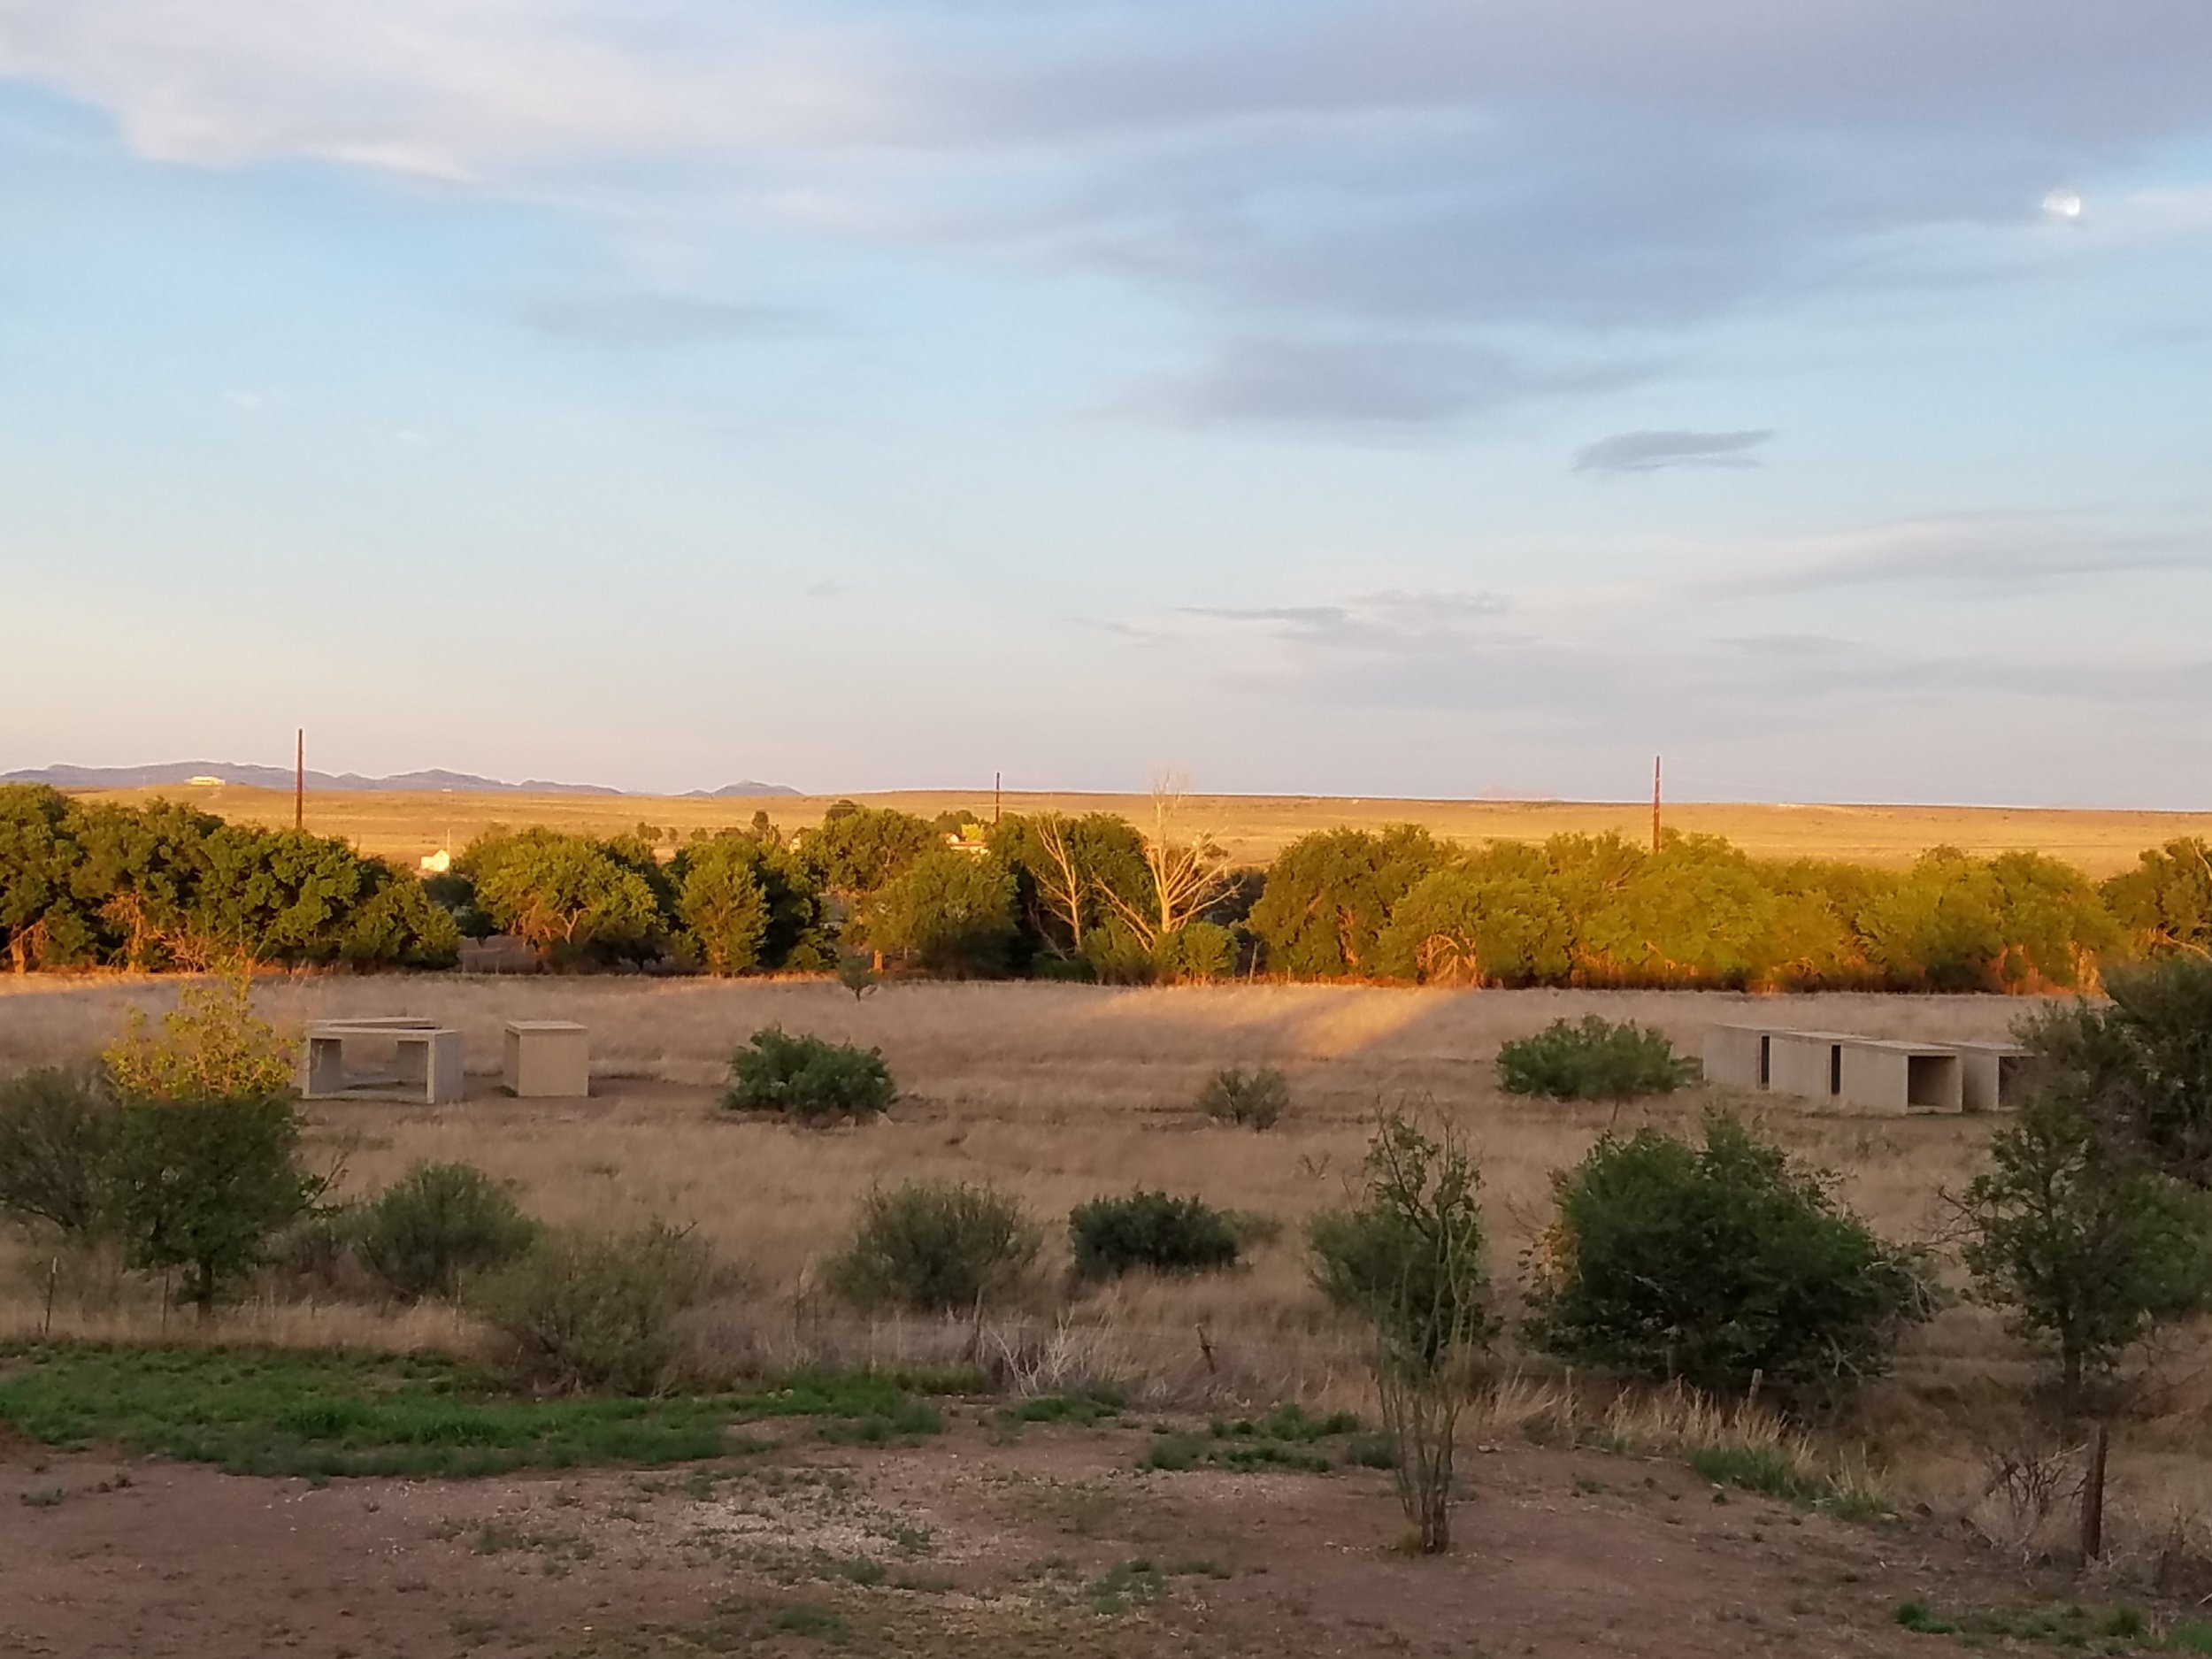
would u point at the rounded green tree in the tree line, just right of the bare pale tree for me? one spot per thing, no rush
(1331, 897)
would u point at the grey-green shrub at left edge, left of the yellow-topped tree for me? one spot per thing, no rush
(59, 1140)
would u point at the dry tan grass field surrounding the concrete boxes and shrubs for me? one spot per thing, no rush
(1061, 1094)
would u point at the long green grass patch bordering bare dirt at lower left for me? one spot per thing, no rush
(320, 1412)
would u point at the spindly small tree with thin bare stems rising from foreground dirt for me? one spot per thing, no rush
(1410, 1262)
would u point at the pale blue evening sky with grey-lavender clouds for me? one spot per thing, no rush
(1326, 397)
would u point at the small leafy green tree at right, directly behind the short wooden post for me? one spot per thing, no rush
(2085, 1244)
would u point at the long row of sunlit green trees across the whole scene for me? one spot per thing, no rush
(1092, 897)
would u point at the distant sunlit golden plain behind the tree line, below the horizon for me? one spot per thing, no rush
(1255, 828)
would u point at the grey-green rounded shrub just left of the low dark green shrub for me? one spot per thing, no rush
(937, 1249)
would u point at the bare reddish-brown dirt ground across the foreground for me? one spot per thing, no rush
(985, 1541)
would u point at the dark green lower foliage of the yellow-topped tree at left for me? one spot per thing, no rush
(207, 1185)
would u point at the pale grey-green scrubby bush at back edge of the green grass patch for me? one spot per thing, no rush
(589, 1313)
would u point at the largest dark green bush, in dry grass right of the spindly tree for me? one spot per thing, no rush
(1715, 1262)
